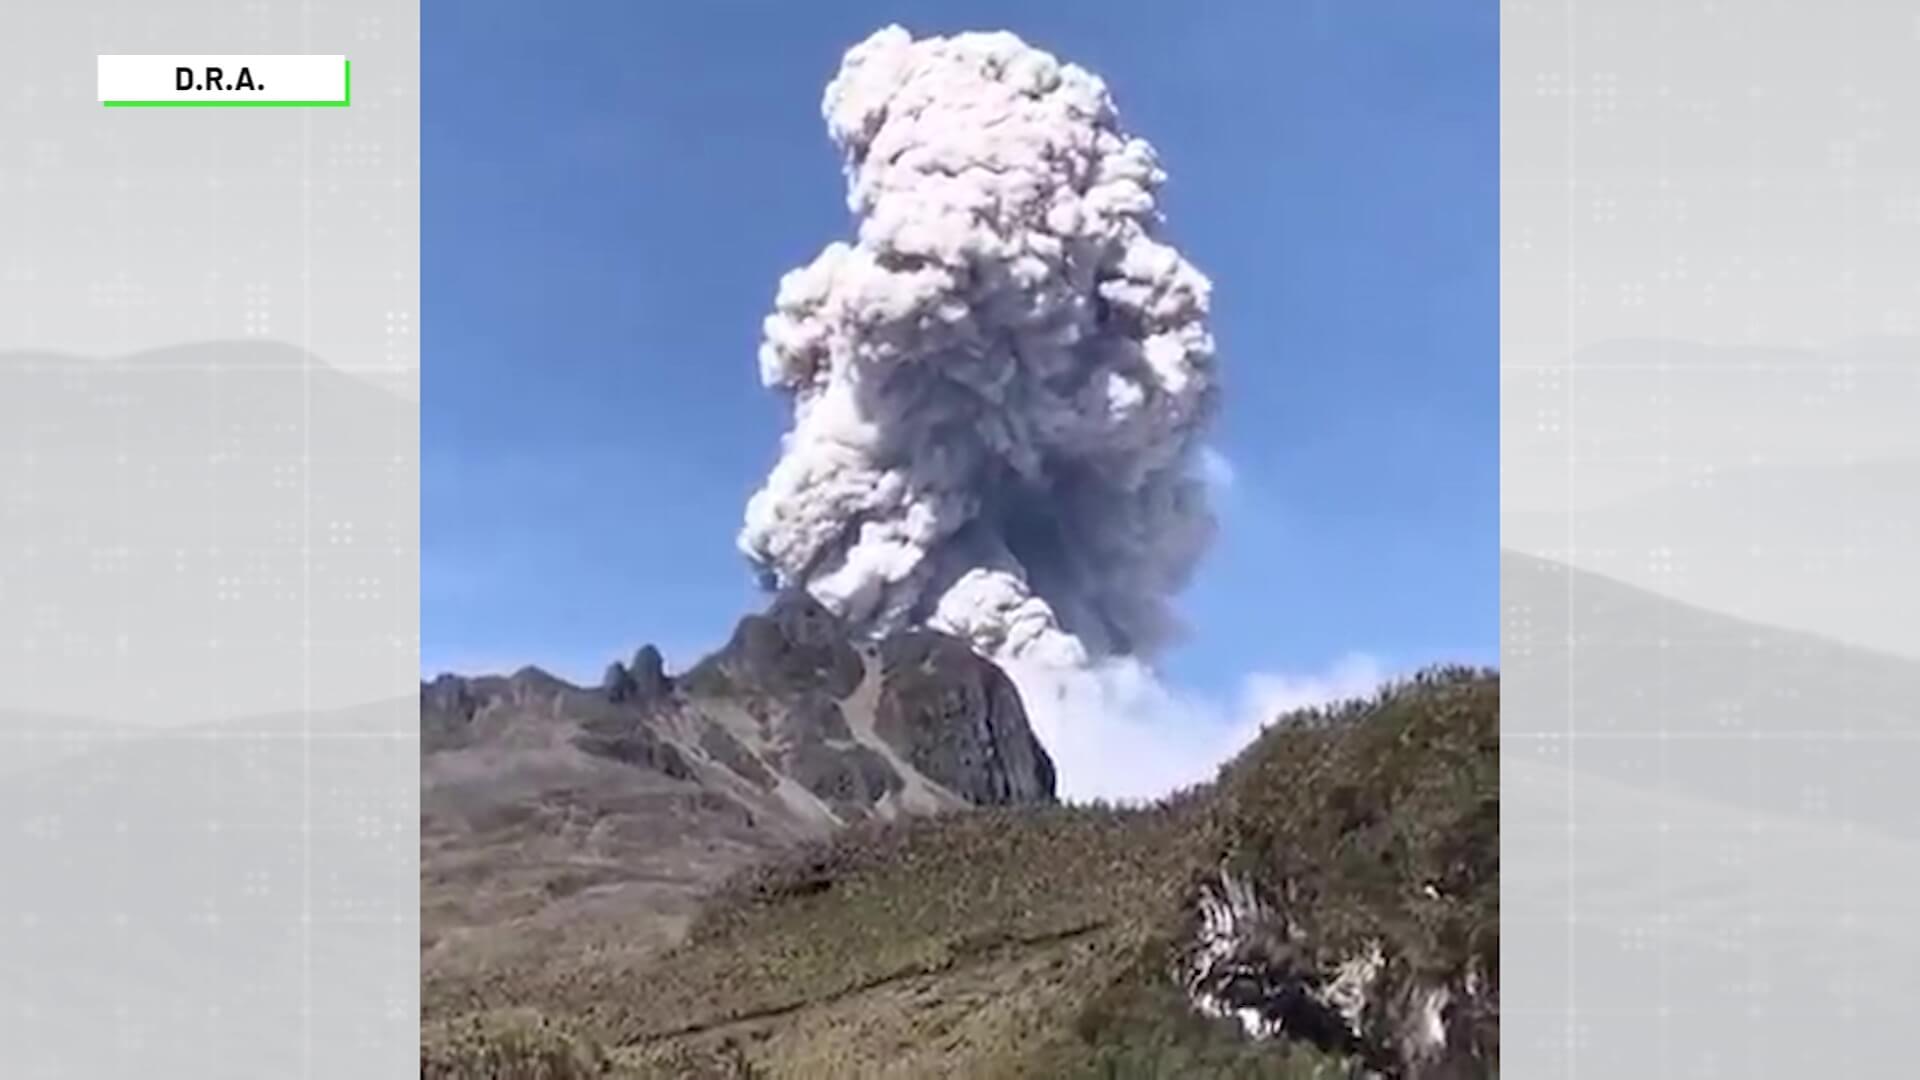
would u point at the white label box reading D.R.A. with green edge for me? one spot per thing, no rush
(201, 80)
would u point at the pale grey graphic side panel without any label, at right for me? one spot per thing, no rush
(1712, 504)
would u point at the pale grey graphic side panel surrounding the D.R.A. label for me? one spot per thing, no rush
(210, 556)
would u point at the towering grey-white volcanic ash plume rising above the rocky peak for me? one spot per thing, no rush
(999, 385)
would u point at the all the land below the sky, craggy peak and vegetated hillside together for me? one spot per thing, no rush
(721, 875)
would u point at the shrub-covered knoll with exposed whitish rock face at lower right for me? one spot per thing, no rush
(1356, 906)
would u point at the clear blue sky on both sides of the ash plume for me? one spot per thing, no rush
(615, 189)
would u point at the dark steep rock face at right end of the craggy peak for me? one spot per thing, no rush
(957, 720)
